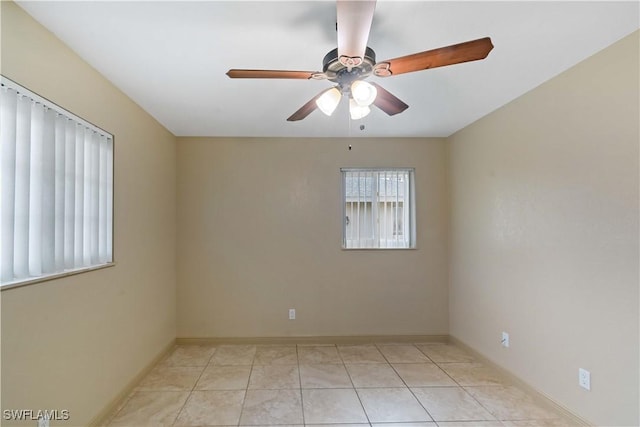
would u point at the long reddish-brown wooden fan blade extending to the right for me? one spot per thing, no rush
(449, 55)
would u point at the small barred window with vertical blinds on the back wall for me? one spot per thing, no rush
(378, 208)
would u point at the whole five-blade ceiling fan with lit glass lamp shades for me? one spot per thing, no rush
(353, 61)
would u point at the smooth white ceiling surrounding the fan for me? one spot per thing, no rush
(171, 58)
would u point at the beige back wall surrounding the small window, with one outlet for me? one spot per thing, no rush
(259, 226)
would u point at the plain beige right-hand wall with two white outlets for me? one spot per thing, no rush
(544, 240)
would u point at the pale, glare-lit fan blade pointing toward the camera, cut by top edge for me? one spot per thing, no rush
(354, 23)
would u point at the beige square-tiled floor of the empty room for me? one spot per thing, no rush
(382, 385)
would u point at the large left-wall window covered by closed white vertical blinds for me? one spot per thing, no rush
(56, 189)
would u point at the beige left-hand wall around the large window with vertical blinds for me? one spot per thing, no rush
(75, 343)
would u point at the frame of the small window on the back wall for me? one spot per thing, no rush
(409, 212)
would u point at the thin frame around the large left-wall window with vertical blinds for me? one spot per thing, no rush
(17, 283)
